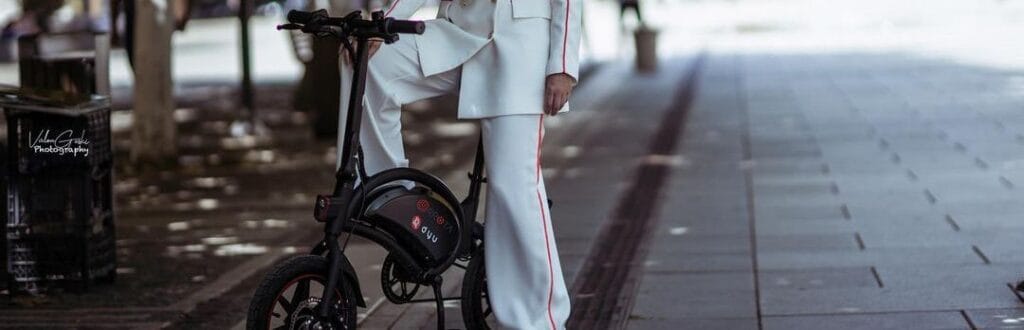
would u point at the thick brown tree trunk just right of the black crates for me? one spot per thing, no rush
(154, 130)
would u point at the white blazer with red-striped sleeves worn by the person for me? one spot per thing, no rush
(505, 55)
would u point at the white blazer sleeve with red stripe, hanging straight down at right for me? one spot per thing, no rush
(567, 28)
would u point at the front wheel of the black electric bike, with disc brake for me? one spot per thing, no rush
(302, 273)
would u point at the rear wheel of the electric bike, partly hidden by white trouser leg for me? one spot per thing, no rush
(476, 305)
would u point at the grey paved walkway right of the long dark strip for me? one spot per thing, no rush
(850, 190)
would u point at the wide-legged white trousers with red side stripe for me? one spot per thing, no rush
(525, 277)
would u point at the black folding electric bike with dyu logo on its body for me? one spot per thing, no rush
(414, 216)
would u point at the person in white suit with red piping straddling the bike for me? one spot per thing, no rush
(511, 62)
